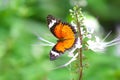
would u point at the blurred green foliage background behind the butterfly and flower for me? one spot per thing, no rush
(21, 56)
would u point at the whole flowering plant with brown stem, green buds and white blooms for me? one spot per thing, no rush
(86, 40)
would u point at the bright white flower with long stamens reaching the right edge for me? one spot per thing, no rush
(99, 45)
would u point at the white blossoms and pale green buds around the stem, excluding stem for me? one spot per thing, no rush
(91, 41)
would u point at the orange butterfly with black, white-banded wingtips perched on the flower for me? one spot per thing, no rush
(64, 32)
